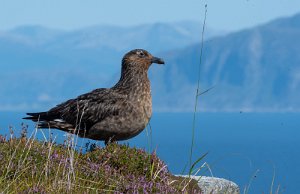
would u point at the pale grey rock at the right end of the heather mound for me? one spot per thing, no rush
(212, 185)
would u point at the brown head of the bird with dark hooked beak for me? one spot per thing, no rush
(139, 58)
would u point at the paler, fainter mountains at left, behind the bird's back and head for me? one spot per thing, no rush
(41, 66)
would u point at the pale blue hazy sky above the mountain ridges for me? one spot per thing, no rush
(73, 14)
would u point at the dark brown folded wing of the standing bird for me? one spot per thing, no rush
(90, 108)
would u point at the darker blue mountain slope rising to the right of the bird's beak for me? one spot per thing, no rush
(257, 69)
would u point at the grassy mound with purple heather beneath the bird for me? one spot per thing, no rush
(31, 166)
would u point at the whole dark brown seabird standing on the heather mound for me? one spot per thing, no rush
(107, 114)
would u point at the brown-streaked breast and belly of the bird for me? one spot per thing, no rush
(132, 118)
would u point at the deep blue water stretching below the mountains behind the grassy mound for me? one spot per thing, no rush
(239, 145)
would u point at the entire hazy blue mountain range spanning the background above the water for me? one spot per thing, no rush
(256, 69)
